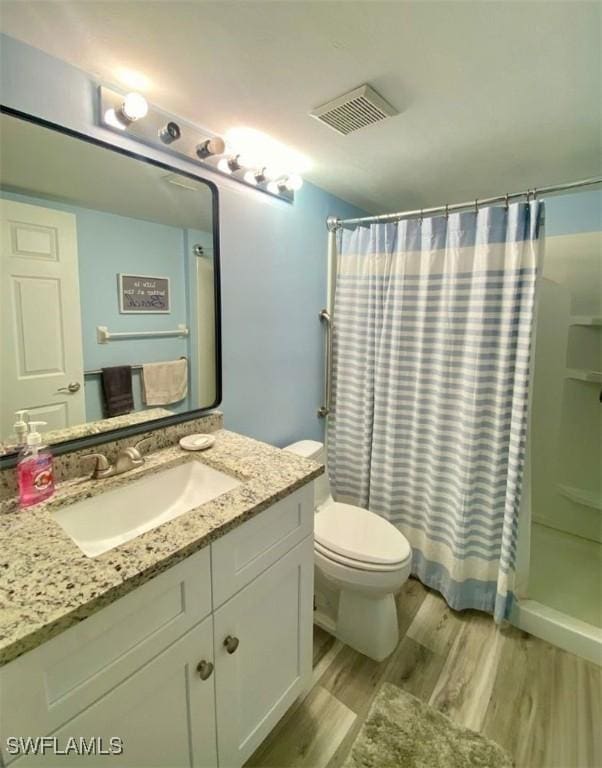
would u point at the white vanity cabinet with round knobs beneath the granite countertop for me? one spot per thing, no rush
(194, 668)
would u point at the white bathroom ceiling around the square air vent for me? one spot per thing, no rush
(493, 96)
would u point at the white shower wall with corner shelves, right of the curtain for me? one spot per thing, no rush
(566, 424)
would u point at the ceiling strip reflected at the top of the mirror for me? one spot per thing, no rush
(45, 163)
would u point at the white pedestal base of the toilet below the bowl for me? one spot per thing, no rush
(367, 624)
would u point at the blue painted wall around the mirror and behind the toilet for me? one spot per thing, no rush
(273, 259)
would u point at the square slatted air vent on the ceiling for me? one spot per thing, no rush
(354, 110)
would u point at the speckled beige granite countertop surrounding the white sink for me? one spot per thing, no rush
(47, 584)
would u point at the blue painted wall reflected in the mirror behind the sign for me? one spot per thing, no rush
(107, 245)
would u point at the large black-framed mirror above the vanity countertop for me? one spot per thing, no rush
(109, 264)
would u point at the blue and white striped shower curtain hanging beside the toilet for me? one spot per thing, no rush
(432, 330)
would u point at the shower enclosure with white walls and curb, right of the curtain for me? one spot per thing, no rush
(562, 584)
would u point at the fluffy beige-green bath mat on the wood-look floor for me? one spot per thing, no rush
(403, 732)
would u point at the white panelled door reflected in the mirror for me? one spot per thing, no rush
(40, 324)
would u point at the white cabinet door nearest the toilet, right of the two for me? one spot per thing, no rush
(258, 680)
